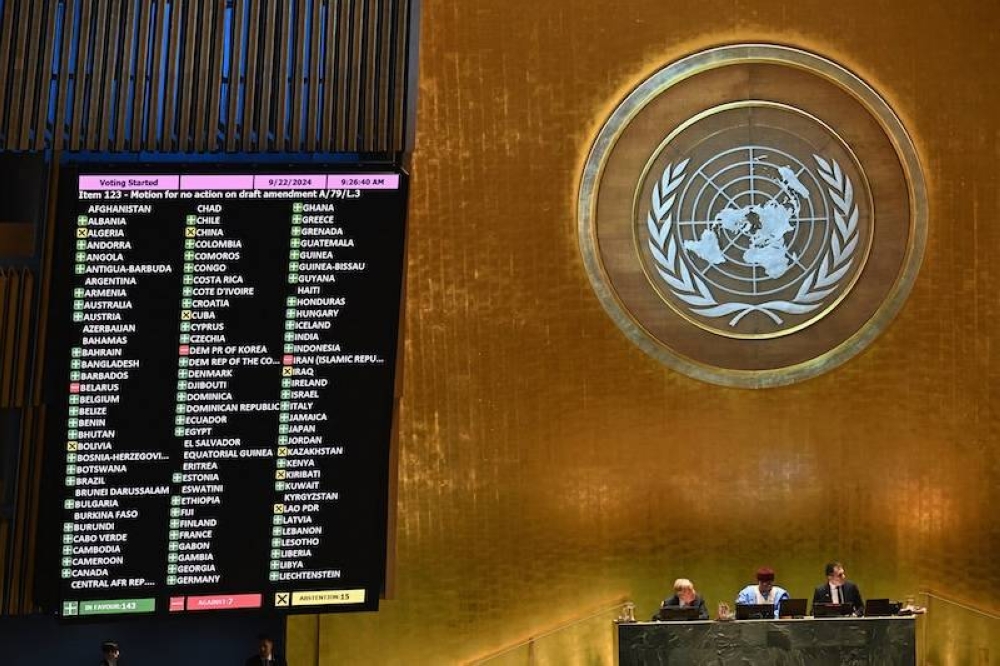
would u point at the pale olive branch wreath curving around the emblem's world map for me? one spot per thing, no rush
(692, 289)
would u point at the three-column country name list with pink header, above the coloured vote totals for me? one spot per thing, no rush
(208, 335)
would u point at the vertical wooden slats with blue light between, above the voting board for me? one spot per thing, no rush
(203, 75)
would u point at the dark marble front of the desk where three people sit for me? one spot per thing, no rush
(882, 641)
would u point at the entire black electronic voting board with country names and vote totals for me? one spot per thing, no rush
(220, 366)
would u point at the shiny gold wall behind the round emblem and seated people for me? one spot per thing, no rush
(547, 466)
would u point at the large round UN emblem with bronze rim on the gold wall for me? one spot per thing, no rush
(752, 215)
